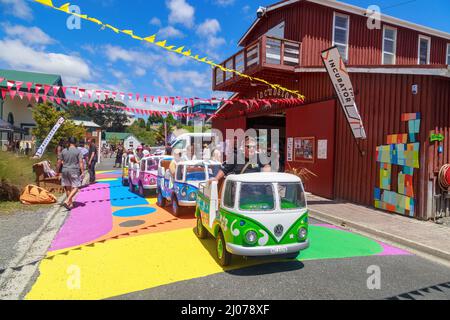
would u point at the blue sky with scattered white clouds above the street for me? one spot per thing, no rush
(35, 38)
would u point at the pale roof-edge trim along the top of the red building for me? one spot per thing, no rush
(355, 10)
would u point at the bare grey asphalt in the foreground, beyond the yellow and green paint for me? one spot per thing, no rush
(402, 277)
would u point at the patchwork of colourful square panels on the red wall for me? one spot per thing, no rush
(401, 150)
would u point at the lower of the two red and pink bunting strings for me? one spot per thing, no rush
(252, 107)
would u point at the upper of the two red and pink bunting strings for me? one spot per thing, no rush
(167, 100)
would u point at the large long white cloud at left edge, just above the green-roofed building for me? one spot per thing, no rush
(19, 56)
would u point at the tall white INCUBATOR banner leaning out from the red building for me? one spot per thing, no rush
(344, 89)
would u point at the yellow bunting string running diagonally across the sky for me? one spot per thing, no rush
(171, 48)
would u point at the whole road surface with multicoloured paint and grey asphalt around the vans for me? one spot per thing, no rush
(116, 244)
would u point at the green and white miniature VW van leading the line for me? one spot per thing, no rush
(257, 214)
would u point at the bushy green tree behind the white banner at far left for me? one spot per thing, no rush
(45, 115)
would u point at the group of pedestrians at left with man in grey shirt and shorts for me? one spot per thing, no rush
(75, 162)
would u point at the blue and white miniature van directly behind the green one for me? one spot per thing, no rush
(179, 183)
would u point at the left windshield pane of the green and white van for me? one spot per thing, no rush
(256, 197)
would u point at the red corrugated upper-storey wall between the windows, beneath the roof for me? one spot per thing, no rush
(312, 25)
